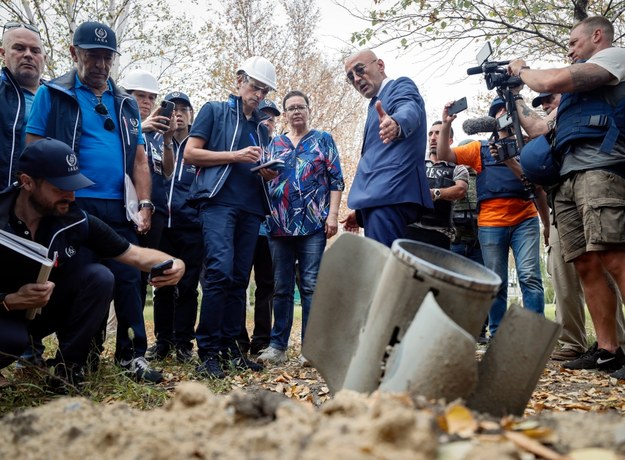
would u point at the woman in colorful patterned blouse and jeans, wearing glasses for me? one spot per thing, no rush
(304, 204)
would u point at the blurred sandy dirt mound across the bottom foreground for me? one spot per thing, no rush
(198, 424)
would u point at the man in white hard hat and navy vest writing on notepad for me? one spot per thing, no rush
(226, 141)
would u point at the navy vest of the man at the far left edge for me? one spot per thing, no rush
(12, 124)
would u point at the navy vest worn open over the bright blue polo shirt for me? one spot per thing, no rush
(65, 123)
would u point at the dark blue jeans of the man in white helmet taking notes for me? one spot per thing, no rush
(229, 240)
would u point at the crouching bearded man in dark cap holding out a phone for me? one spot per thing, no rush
(75, 300)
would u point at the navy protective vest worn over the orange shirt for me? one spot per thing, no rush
(497, 180)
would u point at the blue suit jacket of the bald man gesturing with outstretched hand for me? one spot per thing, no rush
(393, 173)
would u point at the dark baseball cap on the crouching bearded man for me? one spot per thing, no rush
(55, 162)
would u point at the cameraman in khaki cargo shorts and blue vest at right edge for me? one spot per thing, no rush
(589, 204)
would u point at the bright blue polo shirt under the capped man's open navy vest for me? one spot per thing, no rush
(101, 155)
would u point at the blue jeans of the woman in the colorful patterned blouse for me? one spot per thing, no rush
(285, 250)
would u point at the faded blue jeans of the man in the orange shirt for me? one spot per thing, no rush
(524, 239)
